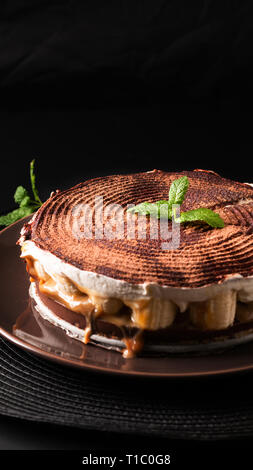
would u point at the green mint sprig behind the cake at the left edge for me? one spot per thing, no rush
(27, 204)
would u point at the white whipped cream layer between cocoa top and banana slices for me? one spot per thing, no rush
(110, 287)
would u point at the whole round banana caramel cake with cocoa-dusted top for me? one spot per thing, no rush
(121, 289)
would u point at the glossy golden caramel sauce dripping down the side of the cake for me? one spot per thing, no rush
(89, 304)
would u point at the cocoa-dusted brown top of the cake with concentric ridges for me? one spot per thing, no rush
(205, 255)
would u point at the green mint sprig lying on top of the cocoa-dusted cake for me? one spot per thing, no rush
(177, 193)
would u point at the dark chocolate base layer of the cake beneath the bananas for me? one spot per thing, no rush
(178, 338)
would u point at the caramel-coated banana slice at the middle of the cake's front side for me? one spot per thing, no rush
(153, 313)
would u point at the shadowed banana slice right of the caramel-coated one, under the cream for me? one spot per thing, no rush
(214, 314)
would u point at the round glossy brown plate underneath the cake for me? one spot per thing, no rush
(39, 336)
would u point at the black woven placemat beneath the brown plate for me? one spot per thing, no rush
(35, 389)
